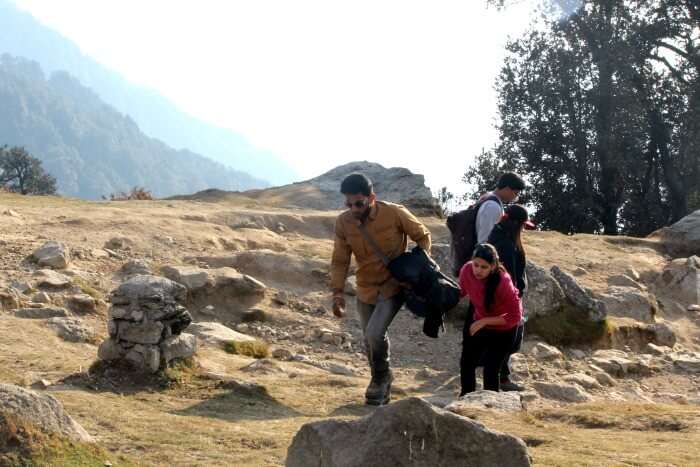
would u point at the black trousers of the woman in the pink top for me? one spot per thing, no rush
(489, 348)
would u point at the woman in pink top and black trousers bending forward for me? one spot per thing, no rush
(489, 337)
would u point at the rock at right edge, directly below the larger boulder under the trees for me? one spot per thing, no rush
(681, 280)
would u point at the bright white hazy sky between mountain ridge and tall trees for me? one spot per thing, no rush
(320, 83)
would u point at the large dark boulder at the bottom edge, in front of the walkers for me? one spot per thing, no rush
(410, 432)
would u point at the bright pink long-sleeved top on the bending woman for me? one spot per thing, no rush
(506, 301)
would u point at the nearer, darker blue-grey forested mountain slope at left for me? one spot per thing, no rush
(90, 148)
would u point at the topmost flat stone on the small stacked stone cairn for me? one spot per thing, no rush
(148, 289)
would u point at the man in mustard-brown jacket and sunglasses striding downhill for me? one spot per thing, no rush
(379, 295)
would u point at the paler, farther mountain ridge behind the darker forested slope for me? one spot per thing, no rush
(22, 35)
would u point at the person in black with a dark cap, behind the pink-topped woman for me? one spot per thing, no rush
(506, 237)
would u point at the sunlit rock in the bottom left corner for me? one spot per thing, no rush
(42, 410)
